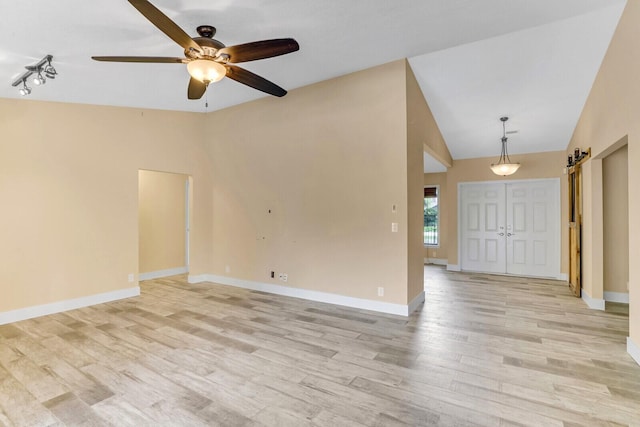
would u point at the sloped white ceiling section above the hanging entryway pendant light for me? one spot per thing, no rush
(539, 77)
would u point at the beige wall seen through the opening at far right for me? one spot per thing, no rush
(615, 194)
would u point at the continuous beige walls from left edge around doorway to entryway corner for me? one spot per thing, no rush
(304, 185)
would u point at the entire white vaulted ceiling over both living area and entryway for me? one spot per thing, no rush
(475, 60)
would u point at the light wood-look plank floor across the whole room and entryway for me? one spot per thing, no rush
(483, 350)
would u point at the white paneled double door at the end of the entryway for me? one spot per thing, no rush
(511, 227)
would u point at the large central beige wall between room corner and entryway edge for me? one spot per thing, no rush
(305, 185)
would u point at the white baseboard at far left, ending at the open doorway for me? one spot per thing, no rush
(66, 305)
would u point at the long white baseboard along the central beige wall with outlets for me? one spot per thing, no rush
(361, 303)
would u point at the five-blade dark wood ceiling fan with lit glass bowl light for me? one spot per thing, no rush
(207, 59)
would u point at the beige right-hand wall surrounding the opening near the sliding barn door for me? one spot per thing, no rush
(611, 114)
